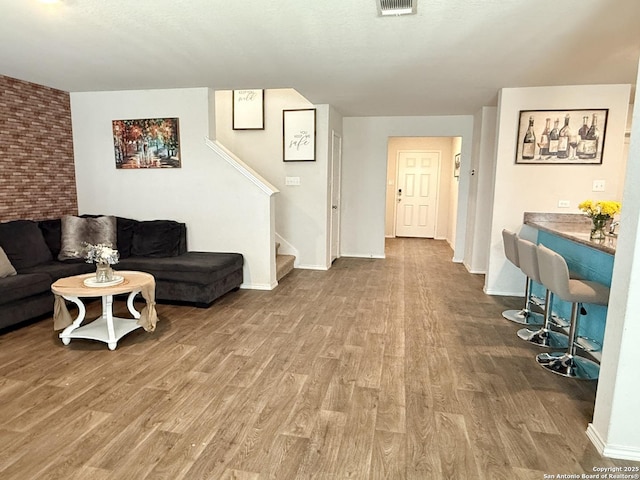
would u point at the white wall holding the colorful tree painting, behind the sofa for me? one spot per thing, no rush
(222, 209)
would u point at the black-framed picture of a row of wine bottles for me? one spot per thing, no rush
(561, 137)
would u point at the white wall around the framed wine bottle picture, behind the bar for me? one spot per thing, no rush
(538, 188)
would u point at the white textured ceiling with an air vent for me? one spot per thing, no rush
(450, 58)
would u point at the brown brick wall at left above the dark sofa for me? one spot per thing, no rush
(37, 174)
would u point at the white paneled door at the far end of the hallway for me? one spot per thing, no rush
(417, 193)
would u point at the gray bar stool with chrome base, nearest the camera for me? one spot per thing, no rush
(555, 276)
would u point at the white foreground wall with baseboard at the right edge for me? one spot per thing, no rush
(615, 429)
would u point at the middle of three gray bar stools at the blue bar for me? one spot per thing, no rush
(544, 337)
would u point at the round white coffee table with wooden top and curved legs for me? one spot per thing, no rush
(106, 328)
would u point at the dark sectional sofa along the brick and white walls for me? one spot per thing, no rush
(158, 247)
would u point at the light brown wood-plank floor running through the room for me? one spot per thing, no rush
(399, 369)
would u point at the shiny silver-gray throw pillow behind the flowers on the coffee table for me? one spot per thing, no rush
(75, 231)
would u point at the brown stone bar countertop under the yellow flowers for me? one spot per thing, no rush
(575, 227)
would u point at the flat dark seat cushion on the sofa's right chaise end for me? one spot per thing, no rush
(193, 267)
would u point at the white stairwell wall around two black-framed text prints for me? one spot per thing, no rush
(301, 211)
